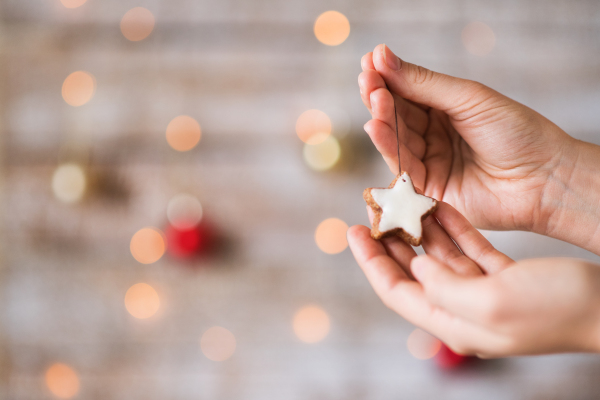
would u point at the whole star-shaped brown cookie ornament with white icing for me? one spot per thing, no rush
(399, 210)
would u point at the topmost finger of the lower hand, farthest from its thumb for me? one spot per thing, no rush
(472, 243)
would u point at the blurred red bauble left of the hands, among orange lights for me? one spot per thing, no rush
(187, 243)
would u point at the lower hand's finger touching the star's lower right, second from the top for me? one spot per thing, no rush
(438, 244)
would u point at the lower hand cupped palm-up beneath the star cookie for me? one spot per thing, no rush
(478, 301)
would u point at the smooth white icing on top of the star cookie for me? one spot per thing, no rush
(402, 207)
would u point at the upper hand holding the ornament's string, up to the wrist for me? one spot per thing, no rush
(501, 164)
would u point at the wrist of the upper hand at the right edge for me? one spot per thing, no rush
(571, 196)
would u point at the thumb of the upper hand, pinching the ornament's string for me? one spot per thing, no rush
(456, 97)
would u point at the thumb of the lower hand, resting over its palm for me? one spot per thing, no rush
(459, 295)
